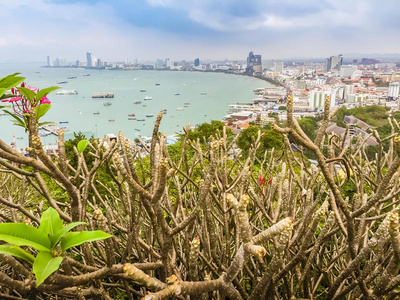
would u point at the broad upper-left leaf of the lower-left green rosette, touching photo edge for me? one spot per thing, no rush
(21, 234)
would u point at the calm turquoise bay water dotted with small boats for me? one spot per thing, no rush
(221, 89)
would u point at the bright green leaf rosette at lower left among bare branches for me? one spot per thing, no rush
(45, 240)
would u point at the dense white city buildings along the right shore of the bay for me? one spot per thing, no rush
(361, 83)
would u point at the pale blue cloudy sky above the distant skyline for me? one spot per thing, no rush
(115, 30)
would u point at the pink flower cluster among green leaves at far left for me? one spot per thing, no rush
(22, 105)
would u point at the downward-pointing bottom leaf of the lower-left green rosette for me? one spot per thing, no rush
(45, 265)
